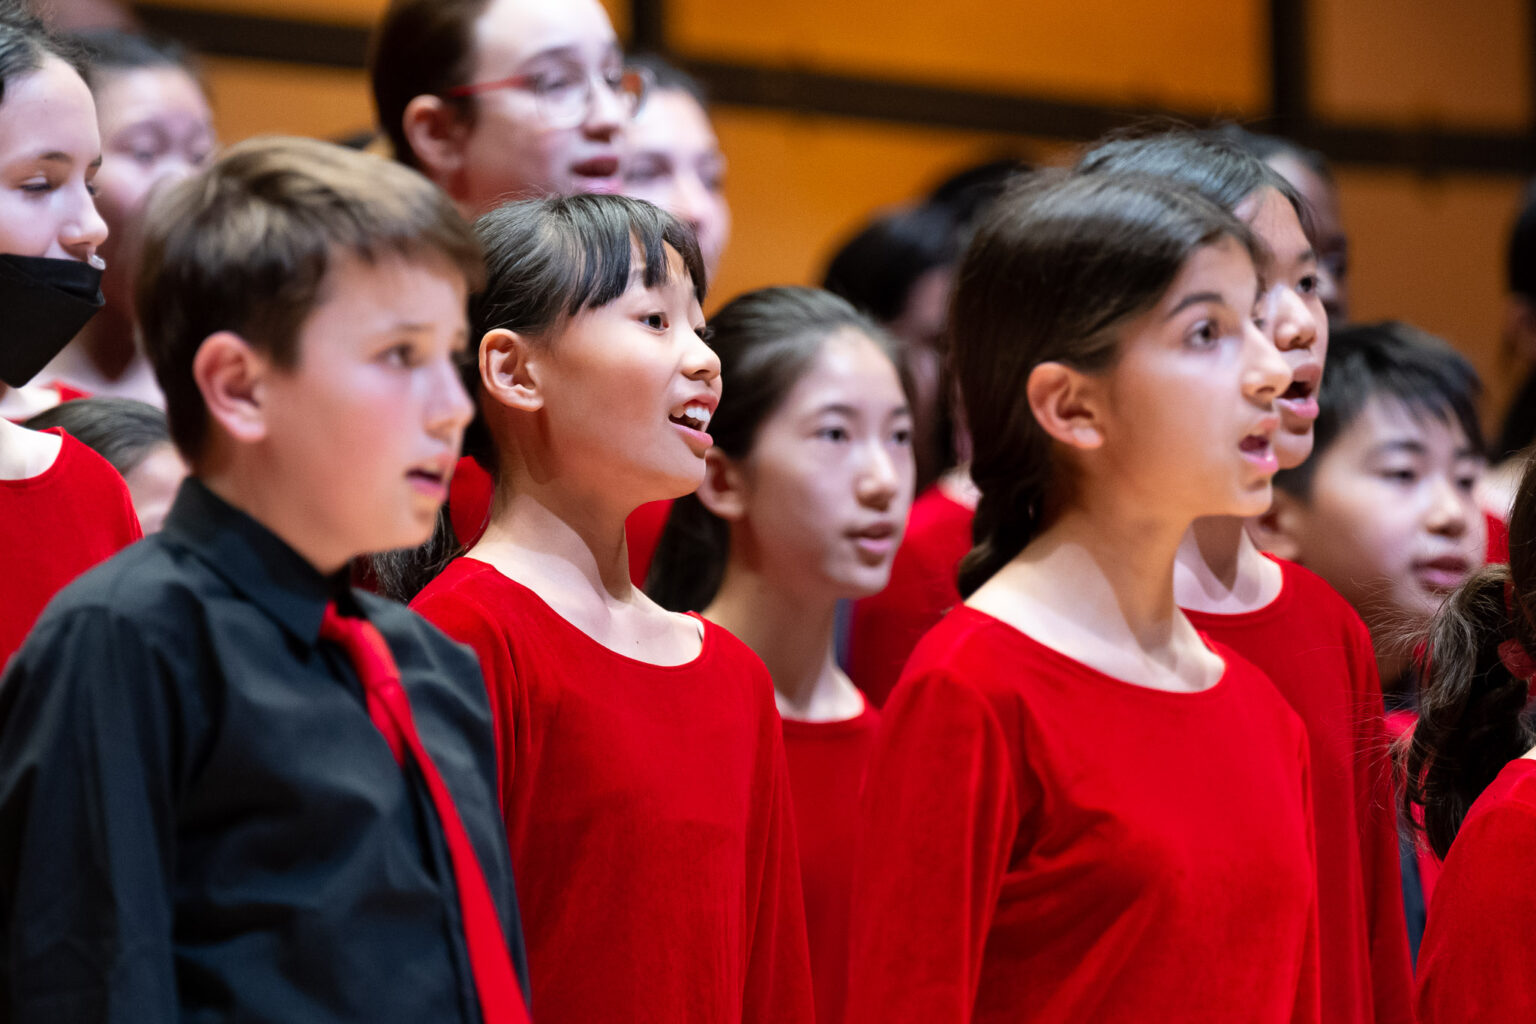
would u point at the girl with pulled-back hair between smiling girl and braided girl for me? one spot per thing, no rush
(803, 506)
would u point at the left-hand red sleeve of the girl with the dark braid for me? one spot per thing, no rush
(939, 821)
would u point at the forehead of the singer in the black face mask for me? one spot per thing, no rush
(48, 111)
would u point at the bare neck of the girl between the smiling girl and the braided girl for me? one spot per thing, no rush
(793, 636)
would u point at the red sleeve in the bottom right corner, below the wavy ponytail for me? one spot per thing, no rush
(1475, 959)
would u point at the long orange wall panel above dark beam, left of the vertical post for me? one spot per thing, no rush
(1202, 56)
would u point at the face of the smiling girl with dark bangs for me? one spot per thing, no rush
(629, 391)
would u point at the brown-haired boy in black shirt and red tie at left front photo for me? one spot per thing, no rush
(233, 788)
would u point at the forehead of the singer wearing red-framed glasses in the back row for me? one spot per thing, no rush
(515, 31)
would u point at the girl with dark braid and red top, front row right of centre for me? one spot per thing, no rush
(1079, 808)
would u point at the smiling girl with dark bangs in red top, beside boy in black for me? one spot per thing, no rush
(643, 775)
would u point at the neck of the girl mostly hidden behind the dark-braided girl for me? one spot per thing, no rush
(1222, 572)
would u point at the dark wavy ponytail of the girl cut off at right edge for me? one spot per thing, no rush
(1472, 707)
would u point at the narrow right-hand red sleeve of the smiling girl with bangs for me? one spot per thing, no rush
(778, 986)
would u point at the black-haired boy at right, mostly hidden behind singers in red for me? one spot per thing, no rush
(1385, 509)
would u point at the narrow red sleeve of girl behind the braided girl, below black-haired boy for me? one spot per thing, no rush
(1375, 796)
